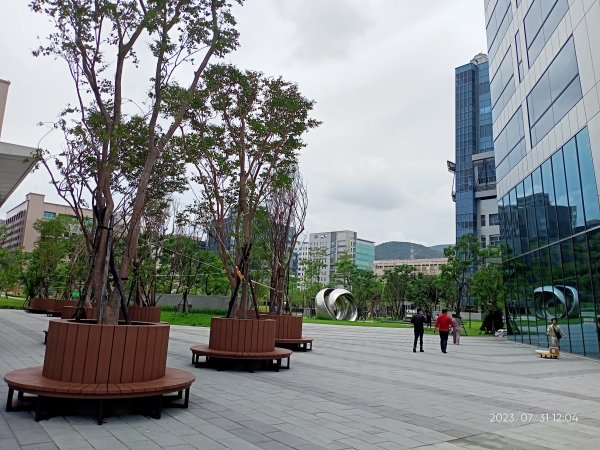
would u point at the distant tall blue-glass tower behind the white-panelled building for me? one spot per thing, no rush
(475, 171)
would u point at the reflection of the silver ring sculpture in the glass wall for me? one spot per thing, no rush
(547, 298)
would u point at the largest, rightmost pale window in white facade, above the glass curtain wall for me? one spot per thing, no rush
(557, 91)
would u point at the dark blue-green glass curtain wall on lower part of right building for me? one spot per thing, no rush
(550, 235)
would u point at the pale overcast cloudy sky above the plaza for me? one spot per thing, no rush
(380, 71)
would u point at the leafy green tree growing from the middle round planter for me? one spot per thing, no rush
(244, 134)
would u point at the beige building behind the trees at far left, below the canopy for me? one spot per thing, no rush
(21, 218)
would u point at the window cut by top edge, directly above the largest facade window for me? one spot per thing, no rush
(540, 22)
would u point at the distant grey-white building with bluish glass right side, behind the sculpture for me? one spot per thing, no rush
(332, 245)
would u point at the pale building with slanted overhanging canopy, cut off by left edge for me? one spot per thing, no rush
(16, 161)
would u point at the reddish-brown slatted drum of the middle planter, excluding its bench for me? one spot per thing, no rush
(242, 335)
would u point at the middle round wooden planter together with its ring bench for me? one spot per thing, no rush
(245, 340)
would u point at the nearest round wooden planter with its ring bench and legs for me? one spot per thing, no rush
(84, 360)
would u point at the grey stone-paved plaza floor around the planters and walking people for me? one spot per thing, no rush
(360, 388)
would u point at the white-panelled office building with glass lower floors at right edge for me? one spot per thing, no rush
(545, 67)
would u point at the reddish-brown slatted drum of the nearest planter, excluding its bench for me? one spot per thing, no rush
(86, 352)
